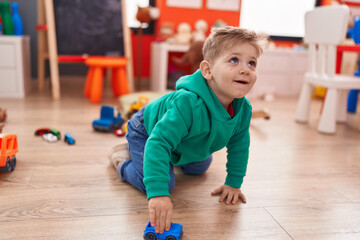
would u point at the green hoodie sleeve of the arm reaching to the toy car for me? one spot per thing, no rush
(164, 138)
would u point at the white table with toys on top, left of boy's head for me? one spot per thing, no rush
(159, 63)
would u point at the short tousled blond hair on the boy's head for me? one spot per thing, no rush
(227, 37)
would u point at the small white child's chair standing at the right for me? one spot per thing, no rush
(325, 28)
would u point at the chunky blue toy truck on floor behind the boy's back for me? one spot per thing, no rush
(108, 122)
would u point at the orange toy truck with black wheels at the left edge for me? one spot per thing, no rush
(9, 148)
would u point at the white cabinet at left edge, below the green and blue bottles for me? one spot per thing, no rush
(15, 80)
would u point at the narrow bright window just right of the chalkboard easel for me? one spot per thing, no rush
(131, 10)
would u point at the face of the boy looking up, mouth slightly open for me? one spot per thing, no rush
(233, 73)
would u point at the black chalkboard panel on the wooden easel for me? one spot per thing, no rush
(91, 27)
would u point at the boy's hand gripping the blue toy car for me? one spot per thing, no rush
(160, 210)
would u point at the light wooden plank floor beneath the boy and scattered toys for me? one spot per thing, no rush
(300, 184)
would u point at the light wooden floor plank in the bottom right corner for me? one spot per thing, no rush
(319, 221)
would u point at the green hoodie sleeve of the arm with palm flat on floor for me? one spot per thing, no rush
(238, 154)
